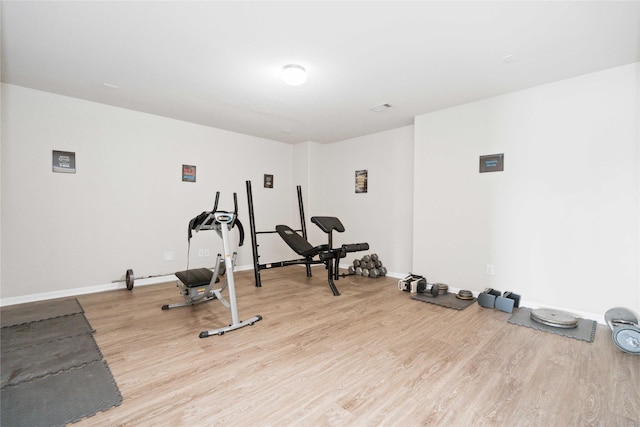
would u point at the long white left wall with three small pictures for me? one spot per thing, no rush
(126, 206)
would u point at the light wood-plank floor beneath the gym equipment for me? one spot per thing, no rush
(369, 357)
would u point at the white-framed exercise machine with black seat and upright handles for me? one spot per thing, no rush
(198, 285)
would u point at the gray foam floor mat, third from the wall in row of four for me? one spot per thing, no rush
(37, 361)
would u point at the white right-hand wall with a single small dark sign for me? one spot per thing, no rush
(560, 224)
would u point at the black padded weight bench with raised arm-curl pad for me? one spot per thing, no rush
(327, 254)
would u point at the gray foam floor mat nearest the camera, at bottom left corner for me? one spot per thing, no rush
(59, 399)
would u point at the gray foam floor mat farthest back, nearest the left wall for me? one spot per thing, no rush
(34, 311)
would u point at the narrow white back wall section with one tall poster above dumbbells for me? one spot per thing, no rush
(383, 216)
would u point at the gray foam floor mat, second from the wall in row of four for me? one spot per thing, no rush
(42, 331)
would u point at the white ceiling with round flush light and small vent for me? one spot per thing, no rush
(218, 63)
